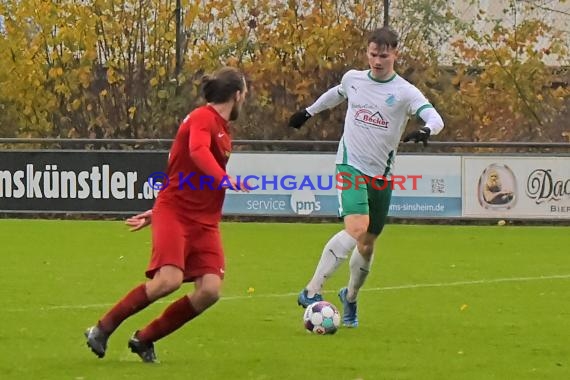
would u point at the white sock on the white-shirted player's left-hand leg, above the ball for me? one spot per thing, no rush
(334, 254)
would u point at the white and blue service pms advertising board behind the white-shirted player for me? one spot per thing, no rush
(305, 184)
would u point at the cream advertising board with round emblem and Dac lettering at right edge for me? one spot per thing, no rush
(516, 187)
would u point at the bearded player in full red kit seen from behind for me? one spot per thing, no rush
(186, 243)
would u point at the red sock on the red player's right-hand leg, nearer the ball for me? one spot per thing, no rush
(174, 317)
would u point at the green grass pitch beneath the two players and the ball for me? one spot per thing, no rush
(441, 302)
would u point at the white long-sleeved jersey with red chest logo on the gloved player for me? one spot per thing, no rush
(377, 115)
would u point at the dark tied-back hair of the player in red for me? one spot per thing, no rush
(220, 86)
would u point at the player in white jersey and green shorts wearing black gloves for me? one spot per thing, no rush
(380, 103)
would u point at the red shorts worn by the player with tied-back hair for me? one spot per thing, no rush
(195, 248)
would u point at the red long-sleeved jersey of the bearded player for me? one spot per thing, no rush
(197, 166)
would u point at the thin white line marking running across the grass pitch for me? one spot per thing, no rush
(380, 289)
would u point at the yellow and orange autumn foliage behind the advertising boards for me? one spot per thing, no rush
(123, 69)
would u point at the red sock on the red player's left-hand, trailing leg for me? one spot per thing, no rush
(132, 303)
